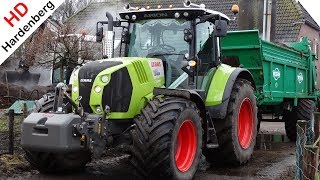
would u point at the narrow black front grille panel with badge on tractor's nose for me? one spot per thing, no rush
(87, 75)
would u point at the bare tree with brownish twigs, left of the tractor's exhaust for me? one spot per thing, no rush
(62, 49)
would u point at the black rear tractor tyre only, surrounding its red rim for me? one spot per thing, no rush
(230, 151)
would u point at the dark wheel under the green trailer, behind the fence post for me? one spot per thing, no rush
(303, 111)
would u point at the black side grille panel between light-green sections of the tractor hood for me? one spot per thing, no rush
(117, 94)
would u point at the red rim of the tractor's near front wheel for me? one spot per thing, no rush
(186, 146)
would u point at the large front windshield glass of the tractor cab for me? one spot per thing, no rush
(158, 37)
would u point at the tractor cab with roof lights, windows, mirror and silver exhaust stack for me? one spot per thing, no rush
(185, 39)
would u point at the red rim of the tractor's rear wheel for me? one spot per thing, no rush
(245, 123)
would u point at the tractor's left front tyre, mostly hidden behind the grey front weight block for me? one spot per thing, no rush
(51, 162)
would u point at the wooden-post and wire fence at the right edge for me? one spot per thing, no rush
(307, 149)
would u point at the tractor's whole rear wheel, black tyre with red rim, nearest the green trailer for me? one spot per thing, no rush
(237, 132)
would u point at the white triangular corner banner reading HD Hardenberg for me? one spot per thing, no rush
(19, 19)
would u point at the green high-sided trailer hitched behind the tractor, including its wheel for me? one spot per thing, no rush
(284, 75)
